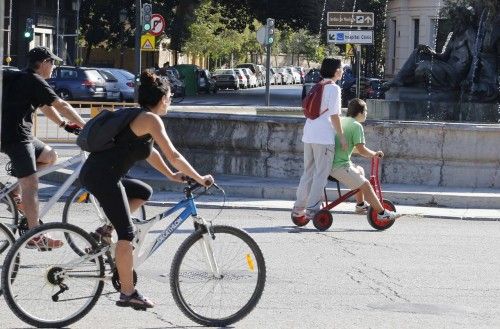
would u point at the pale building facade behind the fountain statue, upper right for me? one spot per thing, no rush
(409, 23)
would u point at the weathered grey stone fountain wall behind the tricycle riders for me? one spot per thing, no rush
(436, 154)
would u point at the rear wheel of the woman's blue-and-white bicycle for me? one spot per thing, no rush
(55, 288)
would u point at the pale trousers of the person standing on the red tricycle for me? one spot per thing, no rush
(318, 160)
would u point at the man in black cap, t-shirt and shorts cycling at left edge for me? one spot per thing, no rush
(23, 93)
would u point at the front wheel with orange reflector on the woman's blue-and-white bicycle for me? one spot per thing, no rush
(223, 296)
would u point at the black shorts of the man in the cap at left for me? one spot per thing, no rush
(23, 156)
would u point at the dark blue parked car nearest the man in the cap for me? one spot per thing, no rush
(78, 83)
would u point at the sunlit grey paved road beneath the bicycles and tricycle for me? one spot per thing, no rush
(421, 273)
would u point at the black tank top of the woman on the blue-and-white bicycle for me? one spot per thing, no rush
(128, 150)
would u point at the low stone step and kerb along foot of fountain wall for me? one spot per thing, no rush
(278, 194)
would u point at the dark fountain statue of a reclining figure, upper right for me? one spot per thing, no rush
(466, 71)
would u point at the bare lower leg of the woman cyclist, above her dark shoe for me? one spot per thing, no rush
(125, 266)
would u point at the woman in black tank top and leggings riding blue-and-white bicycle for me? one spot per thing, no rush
(103, 175)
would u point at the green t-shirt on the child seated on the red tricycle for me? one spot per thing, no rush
(354, 134)
